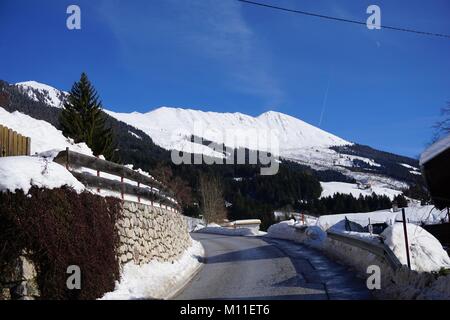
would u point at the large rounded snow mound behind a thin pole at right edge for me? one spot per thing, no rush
(426, 251)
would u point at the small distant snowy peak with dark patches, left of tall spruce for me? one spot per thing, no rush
(42, 93)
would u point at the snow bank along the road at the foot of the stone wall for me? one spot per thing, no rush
(157, 280)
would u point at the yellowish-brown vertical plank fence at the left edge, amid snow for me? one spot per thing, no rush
(13, 144)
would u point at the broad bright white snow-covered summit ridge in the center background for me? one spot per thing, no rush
(169, 127)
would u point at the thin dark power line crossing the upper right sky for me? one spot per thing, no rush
(342, 19)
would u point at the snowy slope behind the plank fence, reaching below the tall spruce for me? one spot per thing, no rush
(43, 135)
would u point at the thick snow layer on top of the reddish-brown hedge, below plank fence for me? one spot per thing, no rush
(24, 172)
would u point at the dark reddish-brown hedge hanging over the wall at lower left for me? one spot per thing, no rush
(58, 228)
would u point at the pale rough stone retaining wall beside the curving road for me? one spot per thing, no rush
(150, 233)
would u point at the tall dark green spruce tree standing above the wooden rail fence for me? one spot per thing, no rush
(82, 119)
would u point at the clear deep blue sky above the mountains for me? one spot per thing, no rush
(377, 87)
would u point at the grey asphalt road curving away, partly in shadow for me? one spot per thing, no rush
(269, 269)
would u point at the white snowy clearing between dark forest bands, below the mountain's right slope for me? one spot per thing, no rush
(330, 188)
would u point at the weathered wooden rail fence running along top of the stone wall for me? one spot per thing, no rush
(154, 192)
